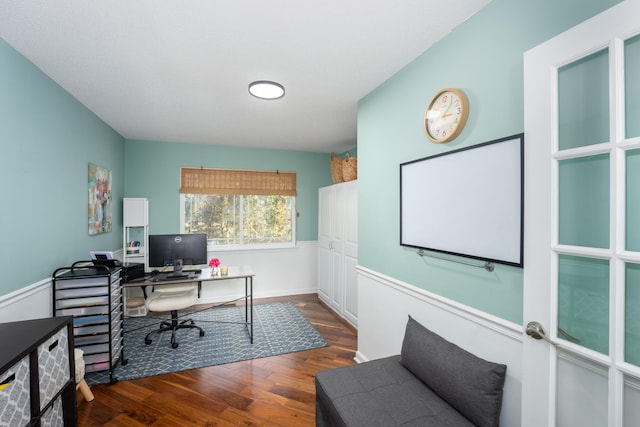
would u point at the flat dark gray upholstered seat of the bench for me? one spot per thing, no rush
(380, 393)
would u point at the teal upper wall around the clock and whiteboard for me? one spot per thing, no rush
(483, 57)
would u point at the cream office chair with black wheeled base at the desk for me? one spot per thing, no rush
(173, 298)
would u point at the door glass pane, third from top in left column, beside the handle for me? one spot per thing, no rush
(583, 301)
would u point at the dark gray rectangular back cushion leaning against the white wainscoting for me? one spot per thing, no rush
(468, 383)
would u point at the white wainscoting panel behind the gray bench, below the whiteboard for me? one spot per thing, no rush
(384, 305)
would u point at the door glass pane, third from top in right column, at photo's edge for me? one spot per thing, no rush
(632, 314)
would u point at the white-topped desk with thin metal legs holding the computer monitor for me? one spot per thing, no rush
(235, 272)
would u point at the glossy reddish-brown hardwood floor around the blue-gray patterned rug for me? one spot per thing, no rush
(272, 391)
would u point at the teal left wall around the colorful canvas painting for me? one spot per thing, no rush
(48, 140)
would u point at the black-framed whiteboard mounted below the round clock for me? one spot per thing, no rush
(467, 202)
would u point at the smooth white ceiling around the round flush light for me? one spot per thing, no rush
(179, 70)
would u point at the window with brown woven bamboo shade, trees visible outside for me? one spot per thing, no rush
(239, 209)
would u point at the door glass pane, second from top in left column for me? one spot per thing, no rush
(584, 201)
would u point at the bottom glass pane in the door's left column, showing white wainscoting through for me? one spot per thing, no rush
(582, 393)
